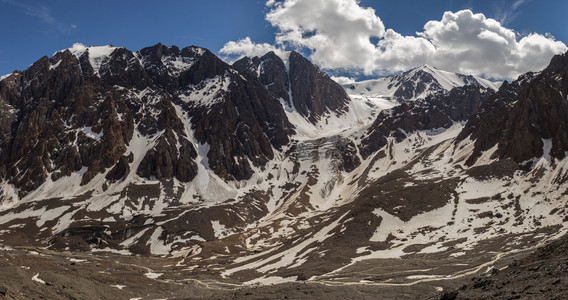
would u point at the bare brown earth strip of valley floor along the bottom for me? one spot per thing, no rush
(475, 275)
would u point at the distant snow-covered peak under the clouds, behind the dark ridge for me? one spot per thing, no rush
(417, 83)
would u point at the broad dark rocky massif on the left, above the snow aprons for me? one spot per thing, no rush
(84, 107)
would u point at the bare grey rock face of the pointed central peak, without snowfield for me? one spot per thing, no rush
(298, 83)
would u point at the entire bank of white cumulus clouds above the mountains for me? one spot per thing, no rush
(342, 35)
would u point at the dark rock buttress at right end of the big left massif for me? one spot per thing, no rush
(242, 127)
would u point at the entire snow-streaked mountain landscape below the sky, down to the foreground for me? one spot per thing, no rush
(168, 172)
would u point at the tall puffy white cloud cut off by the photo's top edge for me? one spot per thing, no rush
(337, 32)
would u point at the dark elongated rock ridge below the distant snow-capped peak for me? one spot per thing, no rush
(437, 111)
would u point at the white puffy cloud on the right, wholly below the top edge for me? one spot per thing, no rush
(473, 44)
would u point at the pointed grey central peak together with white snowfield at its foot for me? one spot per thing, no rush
(314, 104)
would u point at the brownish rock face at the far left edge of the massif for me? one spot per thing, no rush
(65, 121)
